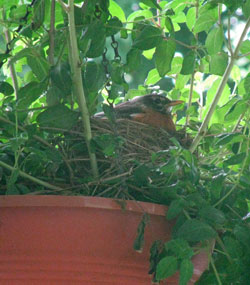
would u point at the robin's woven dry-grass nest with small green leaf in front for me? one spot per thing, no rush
(121, 146)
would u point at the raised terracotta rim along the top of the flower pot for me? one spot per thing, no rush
(80, 202)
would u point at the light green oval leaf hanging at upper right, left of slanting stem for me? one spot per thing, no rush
(214, 40)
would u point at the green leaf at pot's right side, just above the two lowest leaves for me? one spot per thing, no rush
(180, 248)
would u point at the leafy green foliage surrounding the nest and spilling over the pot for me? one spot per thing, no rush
(188, 48)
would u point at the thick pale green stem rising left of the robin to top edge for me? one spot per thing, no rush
(78, 86)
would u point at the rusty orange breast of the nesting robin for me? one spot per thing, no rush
(156, 119)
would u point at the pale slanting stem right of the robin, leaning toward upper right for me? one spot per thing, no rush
(203, 128)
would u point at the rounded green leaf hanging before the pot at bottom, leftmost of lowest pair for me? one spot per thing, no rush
(166, 267)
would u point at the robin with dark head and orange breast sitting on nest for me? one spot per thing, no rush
(154, 110)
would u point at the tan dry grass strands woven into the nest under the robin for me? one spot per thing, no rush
(139, 141)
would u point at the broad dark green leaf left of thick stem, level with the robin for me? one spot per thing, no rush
(58, 116)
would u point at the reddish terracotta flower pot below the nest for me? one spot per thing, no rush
(78, 240)
